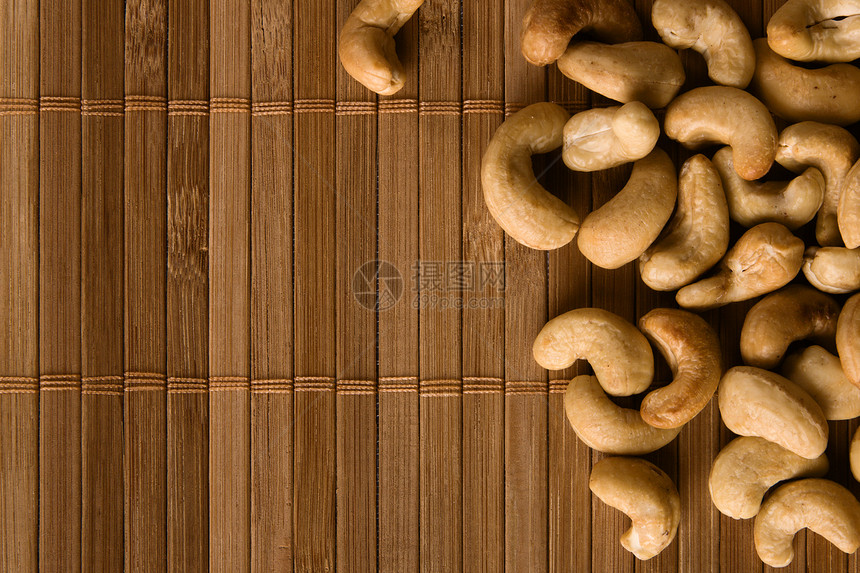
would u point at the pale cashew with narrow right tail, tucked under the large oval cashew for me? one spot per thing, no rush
(748, 466)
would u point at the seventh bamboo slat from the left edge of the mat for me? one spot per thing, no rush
(271, 287)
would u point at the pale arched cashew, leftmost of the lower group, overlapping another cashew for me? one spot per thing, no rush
(619, 354)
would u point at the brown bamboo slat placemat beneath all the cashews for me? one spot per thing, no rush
(256, 318)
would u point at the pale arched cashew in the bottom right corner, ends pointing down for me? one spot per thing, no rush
(820, 505)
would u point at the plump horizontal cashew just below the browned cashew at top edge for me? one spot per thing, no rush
(648, 72)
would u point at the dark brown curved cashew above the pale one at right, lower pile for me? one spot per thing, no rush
(793, 313)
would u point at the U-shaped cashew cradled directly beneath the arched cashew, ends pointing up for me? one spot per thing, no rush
(791, 203)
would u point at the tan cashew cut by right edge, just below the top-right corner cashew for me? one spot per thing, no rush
(796, 93)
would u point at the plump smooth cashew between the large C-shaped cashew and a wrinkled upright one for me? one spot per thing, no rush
(607, 238)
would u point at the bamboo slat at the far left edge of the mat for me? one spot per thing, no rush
(19, 286)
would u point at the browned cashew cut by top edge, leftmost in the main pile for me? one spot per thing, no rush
(549, 25)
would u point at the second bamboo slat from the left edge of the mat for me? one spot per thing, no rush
(60, 287)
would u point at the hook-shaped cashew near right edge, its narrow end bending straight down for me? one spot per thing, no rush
(833, 151)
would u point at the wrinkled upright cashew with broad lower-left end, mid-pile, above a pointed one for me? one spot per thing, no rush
(698, 235)
